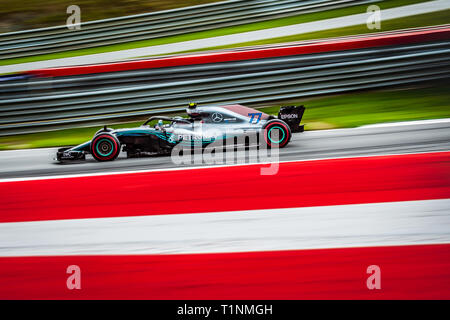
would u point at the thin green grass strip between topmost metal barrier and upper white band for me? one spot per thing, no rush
(213, 33)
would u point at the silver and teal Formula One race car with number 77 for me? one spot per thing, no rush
(204, 125)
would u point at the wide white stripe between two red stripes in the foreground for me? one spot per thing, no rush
(376, 224)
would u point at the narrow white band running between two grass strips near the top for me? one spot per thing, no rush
(351, 20)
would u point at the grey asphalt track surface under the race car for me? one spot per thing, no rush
(384, 139)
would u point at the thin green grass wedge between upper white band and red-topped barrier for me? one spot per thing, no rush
(422, 20)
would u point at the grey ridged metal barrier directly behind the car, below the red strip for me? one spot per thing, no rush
(39, 104)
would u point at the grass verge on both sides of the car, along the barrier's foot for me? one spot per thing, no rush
(341, 111)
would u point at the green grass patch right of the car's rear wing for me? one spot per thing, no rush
(362, 108)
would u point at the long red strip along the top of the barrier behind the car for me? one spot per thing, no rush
(307, 47)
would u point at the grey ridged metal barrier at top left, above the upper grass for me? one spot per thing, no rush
(157, 24)
